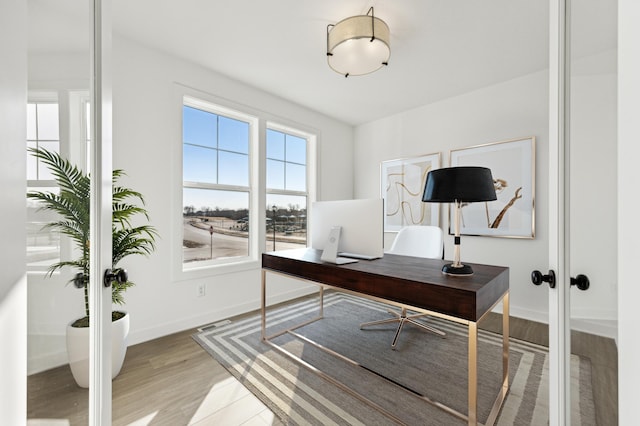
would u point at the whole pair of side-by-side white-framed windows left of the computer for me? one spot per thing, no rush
(235, 164)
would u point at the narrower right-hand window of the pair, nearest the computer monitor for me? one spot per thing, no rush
(286, 188)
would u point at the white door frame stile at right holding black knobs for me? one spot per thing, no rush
(559, 297)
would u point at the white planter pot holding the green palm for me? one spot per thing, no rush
(78, 349)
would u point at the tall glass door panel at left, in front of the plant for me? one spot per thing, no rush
(58, 102)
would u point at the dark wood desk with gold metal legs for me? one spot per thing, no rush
(405, 282)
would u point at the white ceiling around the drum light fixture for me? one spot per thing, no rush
(438, 48)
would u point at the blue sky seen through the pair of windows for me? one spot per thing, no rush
(216, 151)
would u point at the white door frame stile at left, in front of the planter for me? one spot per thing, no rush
(100, 243)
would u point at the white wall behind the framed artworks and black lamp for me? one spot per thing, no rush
(513, 109)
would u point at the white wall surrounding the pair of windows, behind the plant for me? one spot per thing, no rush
(146, 142)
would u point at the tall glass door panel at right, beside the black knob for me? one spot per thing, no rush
(592, 217)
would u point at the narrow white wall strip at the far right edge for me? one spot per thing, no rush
(628, 205)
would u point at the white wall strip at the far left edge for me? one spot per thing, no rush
(13, 285)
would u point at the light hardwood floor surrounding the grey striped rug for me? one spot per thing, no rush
(172, 381)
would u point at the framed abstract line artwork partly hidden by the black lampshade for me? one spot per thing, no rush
(401, 186)
